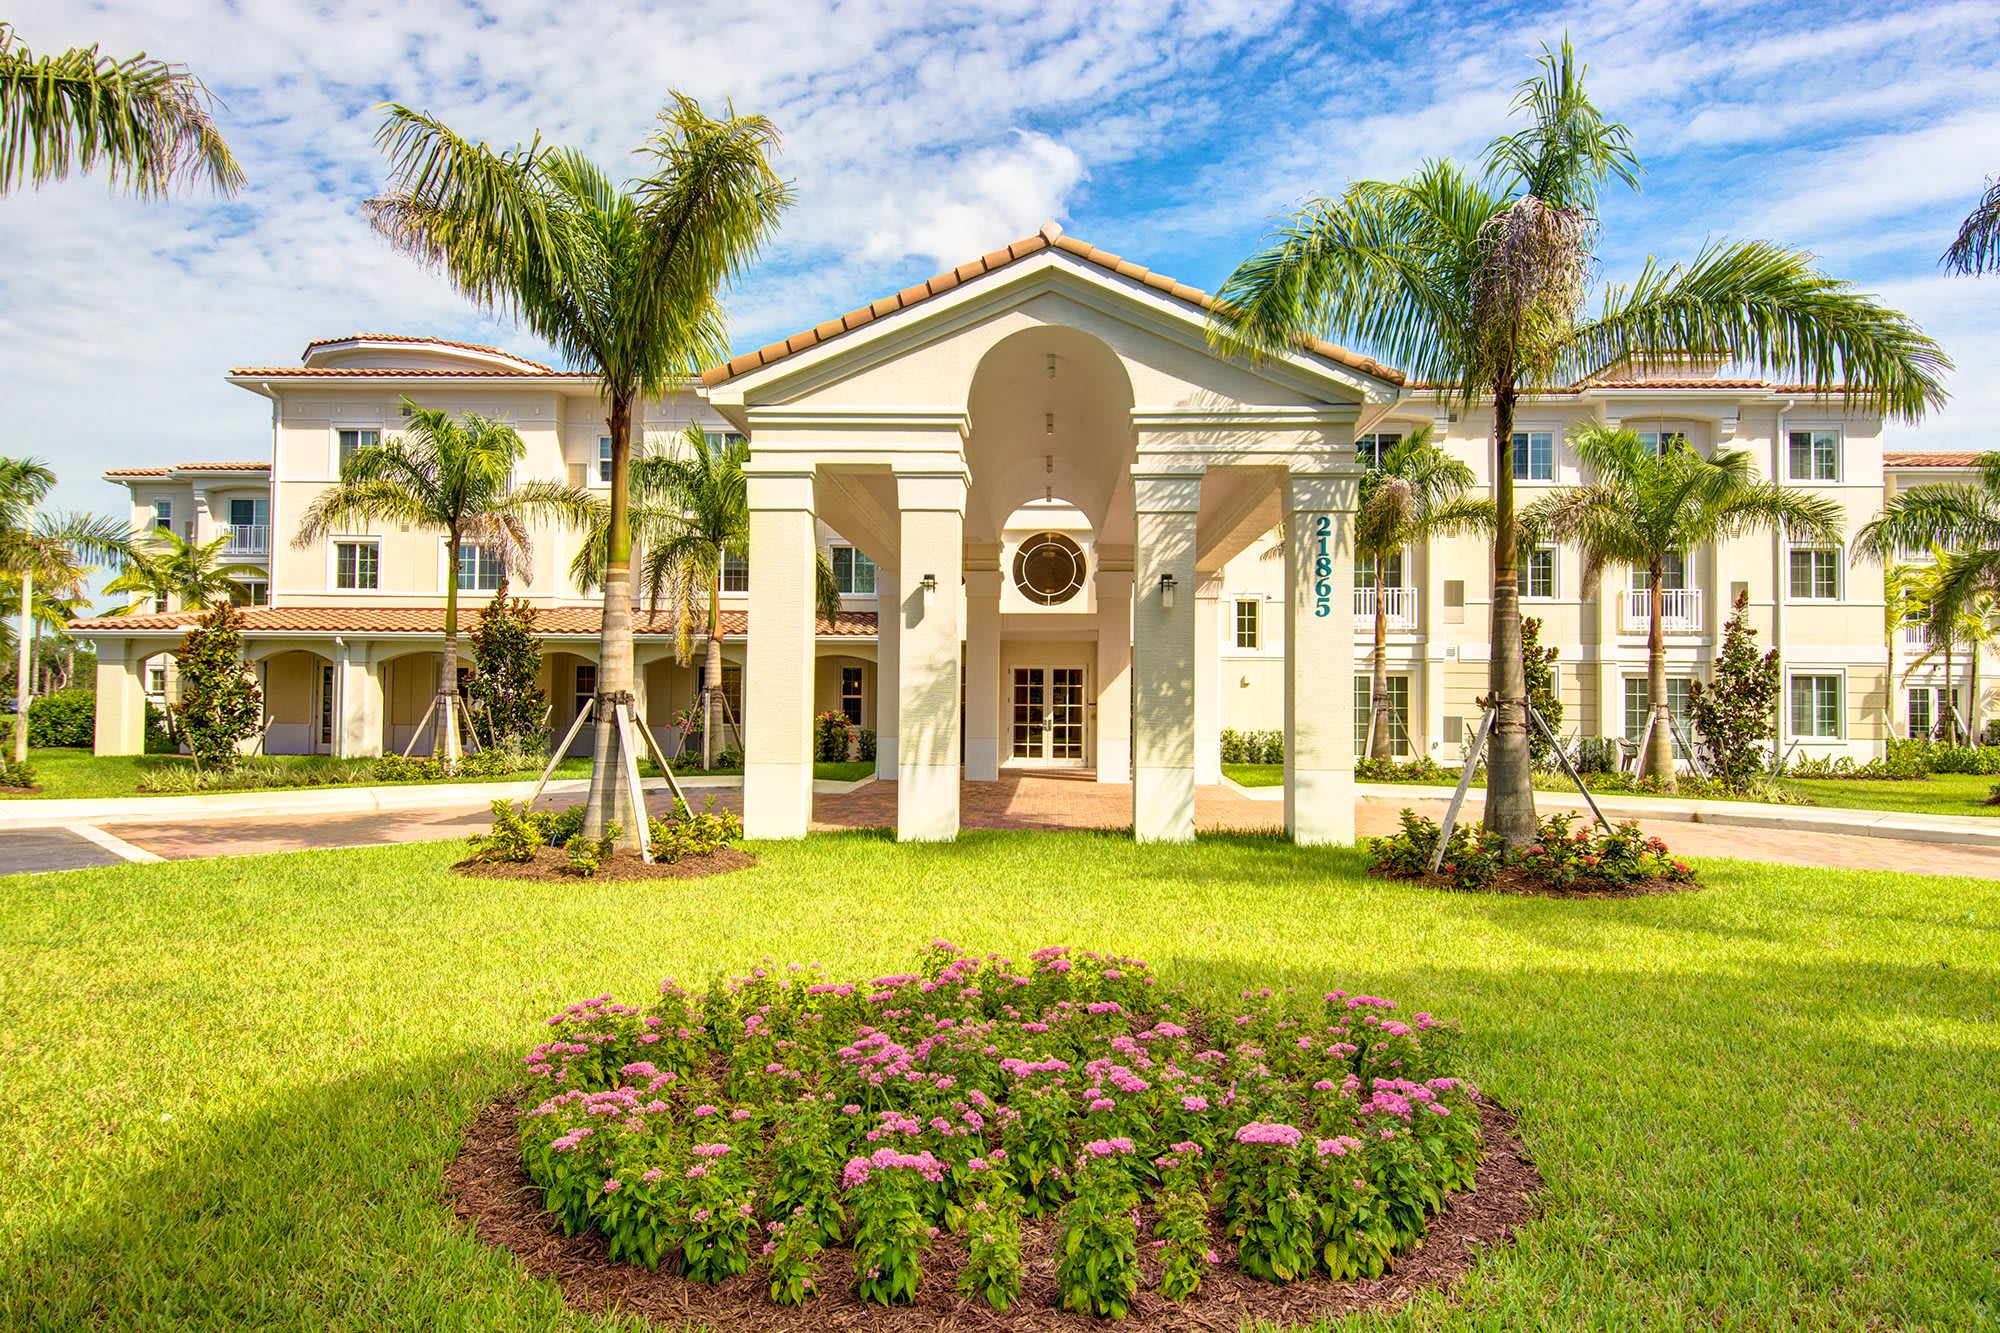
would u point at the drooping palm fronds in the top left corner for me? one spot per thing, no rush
(143, 121)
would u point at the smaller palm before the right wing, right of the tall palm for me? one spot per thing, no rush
(1649, 505)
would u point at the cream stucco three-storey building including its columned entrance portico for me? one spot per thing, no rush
(1057, 513)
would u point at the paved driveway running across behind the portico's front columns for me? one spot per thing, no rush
(367, 818)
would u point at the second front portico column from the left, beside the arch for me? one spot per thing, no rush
(933, 517)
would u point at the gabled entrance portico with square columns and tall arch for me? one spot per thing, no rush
(1047, 463)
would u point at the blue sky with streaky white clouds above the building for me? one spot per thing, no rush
(923, 133)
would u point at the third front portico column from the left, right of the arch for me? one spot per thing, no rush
(1163, 657)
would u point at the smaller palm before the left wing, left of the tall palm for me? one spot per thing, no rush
(457, 477)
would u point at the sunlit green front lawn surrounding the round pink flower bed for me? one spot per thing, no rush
(229, 1090)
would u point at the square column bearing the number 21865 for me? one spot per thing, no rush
(1319, 647)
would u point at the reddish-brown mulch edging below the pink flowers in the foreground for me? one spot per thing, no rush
(491, 1190)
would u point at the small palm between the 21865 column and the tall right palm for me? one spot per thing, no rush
(1411, 495)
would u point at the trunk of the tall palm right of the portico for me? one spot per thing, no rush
(1509, 768)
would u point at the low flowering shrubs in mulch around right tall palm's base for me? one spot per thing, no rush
(1561, 862)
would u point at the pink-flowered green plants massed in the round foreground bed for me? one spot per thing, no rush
(1069, 1128)
